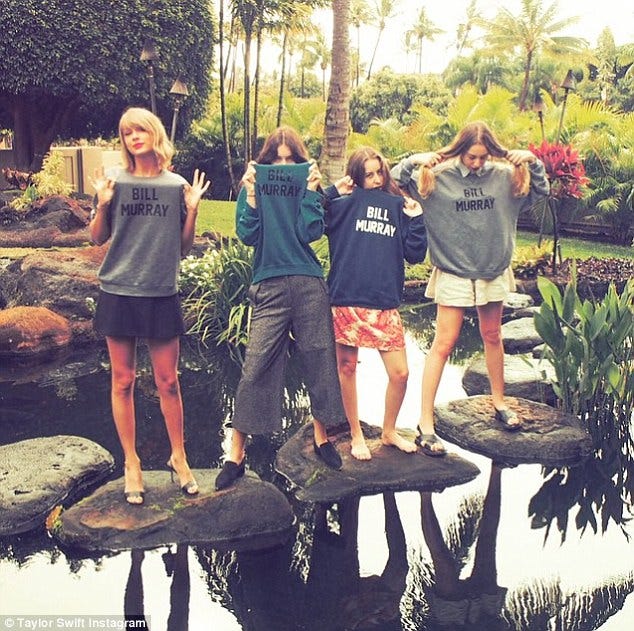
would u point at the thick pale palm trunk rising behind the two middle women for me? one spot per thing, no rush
(337, 124)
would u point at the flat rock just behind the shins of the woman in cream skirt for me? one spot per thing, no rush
(524, 376)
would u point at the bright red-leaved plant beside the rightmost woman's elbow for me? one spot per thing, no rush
(565, 170)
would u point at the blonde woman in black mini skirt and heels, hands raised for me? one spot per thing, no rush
(148, 214)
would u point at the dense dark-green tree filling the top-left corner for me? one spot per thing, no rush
(70, 67)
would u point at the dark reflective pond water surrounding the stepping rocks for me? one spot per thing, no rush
(506, 551)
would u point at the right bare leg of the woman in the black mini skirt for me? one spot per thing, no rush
(164, 357)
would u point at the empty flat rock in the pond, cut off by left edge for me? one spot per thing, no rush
(40, 473)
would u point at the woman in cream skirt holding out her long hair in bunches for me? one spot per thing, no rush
(472, 192)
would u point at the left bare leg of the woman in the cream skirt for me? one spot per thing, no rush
(448, 325)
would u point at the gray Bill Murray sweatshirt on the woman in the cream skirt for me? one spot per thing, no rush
(471, 218)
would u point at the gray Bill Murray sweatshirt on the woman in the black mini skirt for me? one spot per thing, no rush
(146, 216)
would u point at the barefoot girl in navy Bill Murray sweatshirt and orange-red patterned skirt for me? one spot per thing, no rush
(371, 231)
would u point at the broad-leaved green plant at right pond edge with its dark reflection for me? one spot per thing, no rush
(590, 345)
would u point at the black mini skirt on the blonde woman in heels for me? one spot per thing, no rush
(135, 316)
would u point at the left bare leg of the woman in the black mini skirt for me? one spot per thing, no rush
(122, 351)
